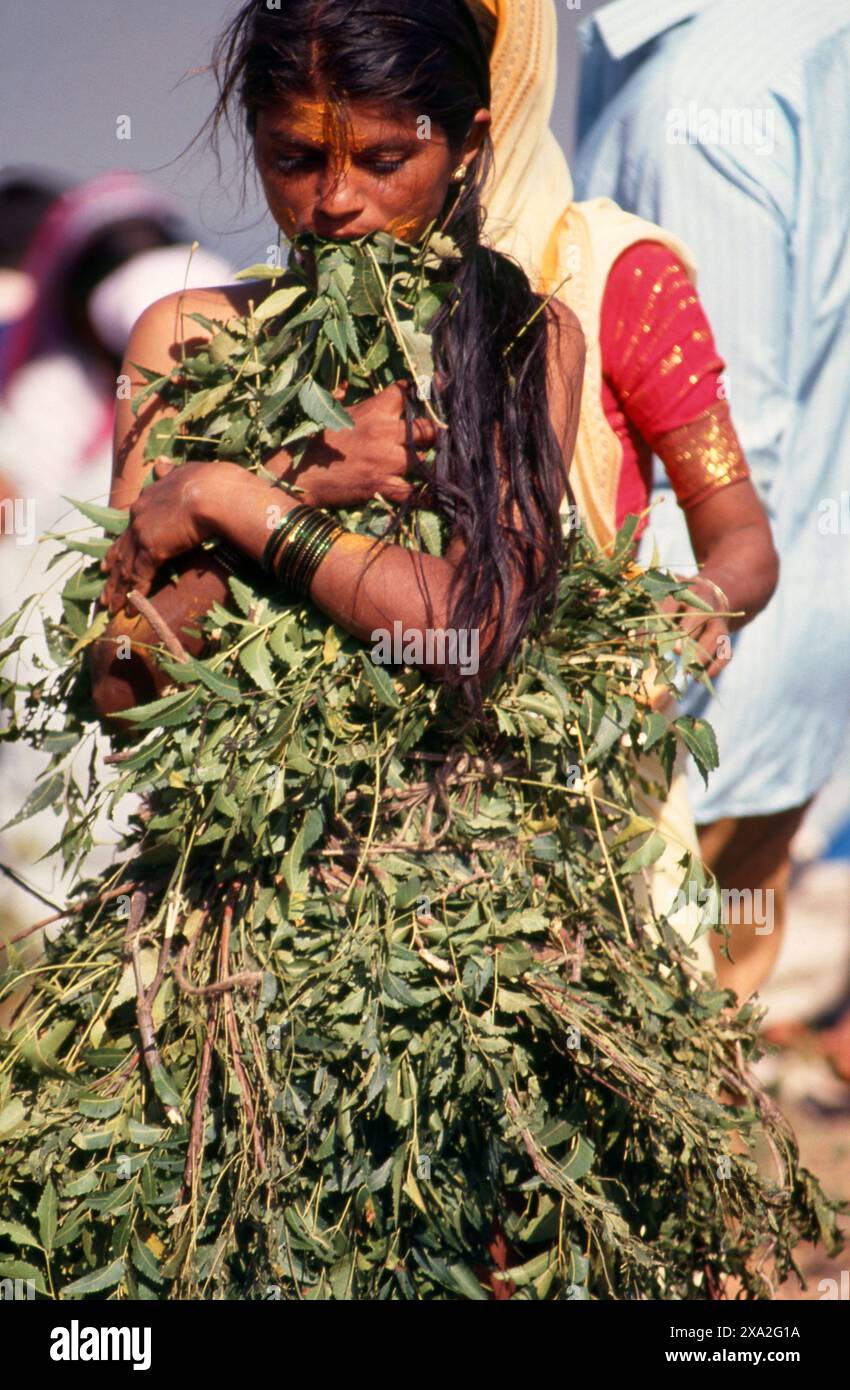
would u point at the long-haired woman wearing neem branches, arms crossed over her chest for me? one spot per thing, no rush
(387, 1015)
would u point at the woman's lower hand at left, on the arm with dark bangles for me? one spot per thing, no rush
(165, 521)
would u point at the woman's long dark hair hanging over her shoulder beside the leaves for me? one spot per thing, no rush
(501, 455)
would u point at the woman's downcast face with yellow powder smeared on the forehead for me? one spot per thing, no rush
(376, 170)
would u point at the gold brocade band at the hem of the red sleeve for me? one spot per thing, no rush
(703, 457)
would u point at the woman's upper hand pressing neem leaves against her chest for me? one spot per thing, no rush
(348, 468)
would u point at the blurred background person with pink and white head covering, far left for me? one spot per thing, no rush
(101, 255)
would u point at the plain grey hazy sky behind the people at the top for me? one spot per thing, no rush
(70, 69)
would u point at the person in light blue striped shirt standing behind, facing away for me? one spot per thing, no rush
(728, 123)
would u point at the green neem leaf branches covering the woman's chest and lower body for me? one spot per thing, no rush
(369, 982)
